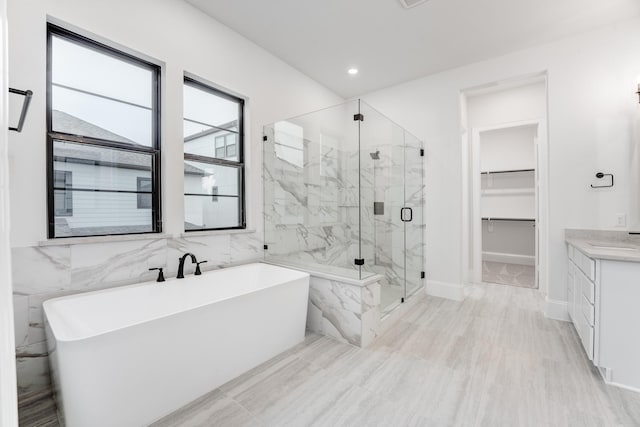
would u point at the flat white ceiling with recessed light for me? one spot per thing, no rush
(390, 44)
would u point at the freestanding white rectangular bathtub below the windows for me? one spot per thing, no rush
(128, 356)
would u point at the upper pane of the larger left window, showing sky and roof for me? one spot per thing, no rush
(98, 95)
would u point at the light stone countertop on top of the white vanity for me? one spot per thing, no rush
(604, 244)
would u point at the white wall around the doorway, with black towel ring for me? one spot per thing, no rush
(592, 105)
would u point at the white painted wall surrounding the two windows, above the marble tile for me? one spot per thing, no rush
(181, 37)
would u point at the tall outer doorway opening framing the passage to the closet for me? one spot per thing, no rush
(506, 134)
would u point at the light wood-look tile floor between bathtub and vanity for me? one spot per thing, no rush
(492, 360)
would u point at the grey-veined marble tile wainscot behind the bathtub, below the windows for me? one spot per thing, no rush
(44, 272)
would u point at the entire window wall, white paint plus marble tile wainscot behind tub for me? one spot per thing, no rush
(180, 38)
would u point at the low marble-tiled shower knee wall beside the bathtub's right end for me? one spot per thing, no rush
(347, 312)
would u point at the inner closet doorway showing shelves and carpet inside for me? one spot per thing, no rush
(505, 205)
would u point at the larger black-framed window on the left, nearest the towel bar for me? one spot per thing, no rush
(103, 148)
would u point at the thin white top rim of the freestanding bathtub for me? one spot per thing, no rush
(49, 302)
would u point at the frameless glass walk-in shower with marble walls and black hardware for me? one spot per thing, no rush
(344, 194)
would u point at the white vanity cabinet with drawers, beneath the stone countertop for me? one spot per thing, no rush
(604, 306)
